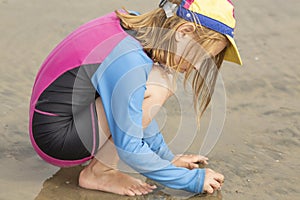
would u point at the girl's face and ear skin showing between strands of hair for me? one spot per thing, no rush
(218, 47)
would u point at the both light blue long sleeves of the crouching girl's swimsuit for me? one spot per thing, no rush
(121, 82)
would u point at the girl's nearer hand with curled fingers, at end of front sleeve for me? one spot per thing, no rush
(213, 181)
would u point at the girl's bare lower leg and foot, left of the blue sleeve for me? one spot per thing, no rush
(101, 173)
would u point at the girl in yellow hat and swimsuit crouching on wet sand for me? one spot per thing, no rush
(92, 99)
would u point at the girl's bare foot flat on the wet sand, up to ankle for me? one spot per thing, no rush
(97, 176)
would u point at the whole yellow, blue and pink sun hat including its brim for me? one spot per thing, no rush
(217, 15)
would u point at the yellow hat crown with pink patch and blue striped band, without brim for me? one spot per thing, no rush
(217, 15)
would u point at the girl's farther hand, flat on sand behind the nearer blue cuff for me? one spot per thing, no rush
(189, 161)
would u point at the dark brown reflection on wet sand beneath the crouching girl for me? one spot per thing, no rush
(64, 185)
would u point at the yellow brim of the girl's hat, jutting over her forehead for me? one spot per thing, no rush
(232, 54)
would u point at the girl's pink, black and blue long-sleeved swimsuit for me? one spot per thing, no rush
(100, 59)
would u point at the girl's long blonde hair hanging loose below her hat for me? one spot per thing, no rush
(156, 33)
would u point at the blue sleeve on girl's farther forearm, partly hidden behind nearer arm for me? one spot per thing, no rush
(156, 142)
